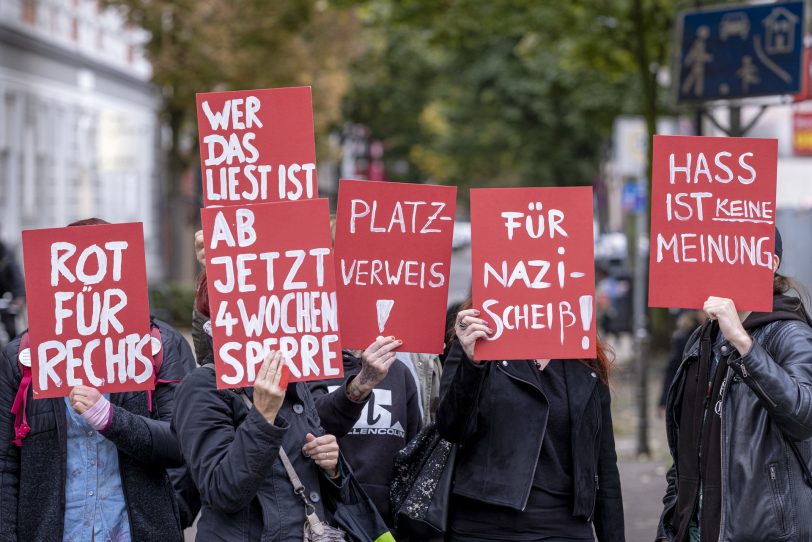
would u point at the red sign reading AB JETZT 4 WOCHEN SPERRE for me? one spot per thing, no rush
(271, 287)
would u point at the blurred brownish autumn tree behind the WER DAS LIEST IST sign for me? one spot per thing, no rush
(209, 45)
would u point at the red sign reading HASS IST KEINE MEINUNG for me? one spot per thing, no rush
(712, 221)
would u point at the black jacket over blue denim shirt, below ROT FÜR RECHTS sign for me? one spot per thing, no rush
(32, 477)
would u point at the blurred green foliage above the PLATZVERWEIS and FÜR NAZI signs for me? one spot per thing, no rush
(506, 92)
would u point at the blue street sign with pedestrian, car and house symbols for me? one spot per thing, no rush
(740, 52)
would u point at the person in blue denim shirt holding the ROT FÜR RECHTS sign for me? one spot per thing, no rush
(90, 466)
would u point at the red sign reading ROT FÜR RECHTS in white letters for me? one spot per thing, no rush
(88, 310)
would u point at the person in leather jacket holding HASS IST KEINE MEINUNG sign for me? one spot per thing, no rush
(739, 424)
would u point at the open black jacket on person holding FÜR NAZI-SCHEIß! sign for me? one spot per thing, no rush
(498, 415)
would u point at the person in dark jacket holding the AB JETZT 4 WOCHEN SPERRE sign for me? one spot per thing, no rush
(233, 441)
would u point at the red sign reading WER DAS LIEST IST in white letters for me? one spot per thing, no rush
(257, 146)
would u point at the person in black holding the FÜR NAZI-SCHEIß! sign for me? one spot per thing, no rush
(537, 460)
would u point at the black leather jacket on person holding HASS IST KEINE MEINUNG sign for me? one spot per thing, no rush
(766, 409)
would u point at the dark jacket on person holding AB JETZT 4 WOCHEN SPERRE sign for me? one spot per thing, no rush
(233, 456)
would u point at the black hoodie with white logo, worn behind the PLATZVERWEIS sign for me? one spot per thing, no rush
(389, 421)
